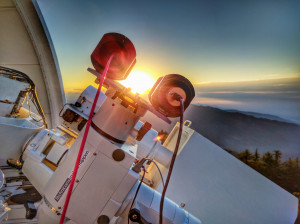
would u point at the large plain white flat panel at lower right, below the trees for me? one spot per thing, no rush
(218, 188)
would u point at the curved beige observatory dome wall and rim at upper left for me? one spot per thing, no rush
(24, 46)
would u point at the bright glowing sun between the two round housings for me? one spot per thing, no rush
(138, 81)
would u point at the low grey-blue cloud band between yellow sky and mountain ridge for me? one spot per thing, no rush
(279, 97)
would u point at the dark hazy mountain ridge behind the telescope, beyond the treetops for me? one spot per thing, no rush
(237, 131)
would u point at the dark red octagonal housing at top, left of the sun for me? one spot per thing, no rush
(124, 56)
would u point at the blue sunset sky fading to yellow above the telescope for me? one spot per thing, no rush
(206, 41)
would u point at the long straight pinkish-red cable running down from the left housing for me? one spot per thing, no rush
(61, 221)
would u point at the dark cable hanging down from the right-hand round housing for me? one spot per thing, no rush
(161, 207)
